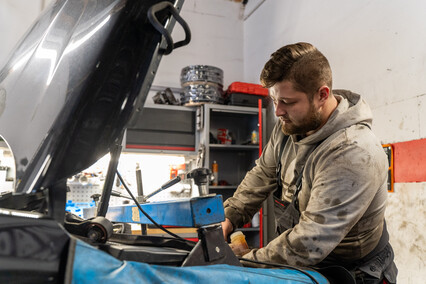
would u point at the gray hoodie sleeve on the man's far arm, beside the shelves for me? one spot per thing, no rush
(256, 185)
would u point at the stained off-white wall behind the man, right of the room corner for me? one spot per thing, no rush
(376, 48)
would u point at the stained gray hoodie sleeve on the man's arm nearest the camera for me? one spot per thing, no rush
(346, 178)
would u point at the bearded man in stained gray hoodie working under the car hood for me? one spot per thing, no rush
(332, 173)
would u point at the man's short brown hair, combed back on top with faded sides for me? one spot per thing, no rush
(300, 63)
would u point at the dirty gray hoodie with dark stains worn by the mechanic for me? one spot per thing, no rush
(344, 188)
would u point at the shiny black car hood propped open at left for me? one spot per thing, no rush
(75, 80)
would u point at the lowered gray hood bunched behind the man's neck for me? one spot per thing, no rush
(351, 110)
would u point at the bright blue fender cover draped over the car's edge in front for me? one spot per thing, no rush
(94, 266)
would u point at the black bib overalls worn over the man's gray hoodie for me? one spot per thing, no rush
(373, 268)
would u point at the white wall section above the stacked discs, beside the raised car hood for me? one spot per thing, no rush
(217, 40)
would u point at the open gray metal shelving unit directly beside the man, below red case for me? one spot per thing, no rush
(235, 159)
